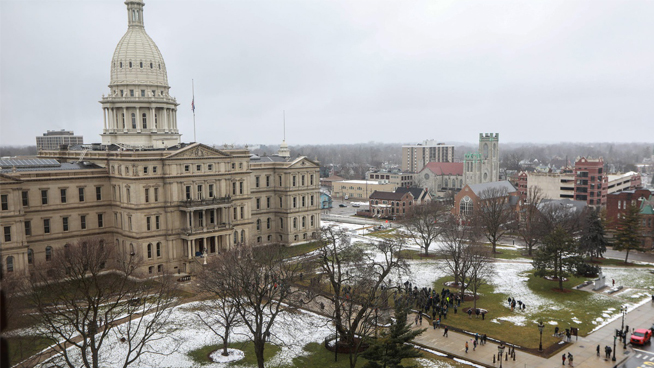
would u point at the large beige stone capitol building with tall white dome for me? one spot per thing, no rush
(144, 190)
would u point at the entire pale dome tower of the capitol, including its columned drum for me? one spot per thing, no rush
(139, 111)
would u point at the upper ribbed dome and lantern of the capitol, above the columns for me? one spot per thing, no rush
(137, 59)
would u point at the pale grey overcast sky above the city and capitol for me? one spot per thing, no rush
(345, 71)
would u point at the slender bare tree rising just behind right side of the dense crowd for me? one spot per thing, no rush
(457, 238)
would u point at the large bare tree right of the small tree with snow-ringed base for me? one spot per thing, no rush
(257, 282)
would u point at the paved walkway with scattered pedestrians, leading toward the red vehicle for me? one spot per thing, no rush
(583, 350)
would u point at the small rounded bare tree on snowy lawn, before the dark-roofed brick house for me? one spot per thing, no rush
(423, 223)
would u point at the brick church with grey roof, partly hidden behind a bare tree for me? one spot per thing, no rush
(467, 200)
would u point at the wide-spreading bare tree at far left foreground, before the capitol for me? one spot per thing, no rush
(78, 304)
